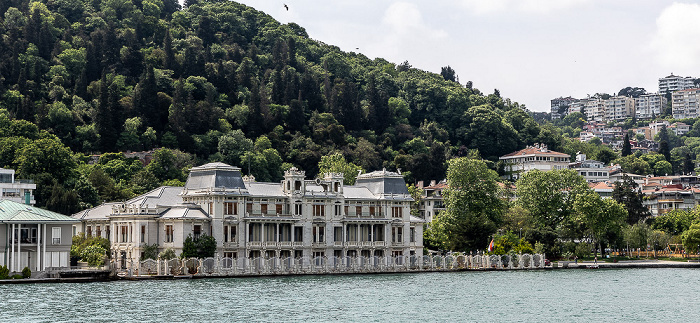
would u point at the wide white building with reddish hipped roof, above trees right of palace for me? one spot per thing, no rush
(533, 157)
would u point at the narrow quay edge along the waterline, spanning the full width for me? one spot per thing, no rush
(561, 265)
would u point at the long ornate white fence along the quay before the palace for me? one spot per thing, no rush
(225, 266)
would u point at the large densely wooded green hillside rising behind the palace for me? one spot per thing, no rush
(219, 81)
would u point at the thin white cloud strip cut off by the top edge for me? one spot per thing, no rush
(481, 7)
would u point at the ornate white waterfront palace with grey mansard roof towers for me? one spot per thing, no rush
(294, 218)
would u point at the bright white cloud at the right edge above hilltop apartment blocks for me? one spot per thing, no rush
(676, 39)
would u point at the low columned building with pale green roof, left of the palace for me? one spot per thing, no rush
(33, 237)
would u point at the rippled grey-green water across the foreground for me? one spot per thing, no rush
(643, 295)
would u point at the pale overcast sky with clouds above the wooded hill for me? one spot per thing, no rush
(531, 50)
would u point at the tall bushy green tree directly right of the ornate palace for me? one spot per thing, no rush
(474, 208)
